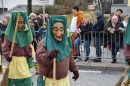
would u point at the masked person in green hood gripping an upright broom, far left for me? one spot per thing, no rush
(19, 74)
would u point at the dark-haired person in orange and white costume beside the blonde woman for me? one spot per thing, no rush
(75, 23)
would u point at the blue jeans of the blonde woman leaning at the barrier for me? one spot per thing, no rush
(86, 43)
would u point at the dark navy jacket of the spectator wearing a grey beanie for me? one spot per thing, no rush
(98, 26)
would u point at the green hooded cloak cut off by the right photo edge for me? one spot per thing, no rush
(127, 33)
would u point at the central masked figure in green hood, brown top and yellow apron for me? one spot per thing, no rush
(57, 45)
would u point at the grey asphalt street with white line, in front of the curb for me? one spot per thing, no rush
(90, 77)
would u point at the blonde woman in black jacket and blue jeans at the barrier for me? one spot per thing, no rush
(83, 28)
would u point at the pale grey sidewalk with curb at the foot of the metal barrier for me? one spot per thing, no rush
(104, 64)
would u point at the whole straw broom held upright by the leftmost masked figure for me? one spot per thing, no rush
(5, 77)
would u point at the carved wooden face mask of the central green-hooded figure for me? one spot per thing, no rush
(58, 31)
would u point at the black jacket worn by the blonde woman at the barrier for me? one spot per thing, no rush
(84, 29)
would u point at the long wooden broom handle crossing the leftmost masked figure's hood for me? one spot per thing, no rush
(12, 47)
